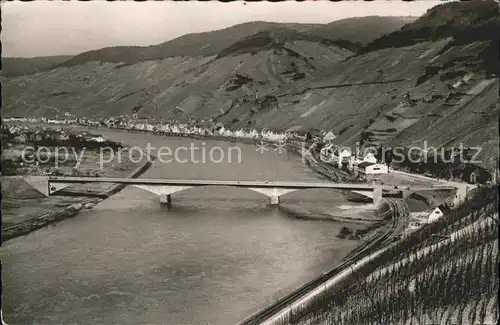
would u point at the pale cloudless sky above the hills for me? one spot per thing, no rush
(45, 28)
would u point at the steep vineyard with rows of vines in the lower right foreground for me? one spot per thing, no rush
(444, 273)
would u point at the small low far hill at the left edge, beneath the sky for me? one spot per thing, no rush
(12, 67)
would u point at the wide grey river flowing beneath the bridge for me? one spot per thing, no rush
(216, 257)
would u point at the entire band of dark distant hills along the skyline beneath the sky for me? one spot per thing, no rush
(346, 33)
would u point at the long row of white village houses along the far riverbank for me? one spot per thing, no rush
(357, 164)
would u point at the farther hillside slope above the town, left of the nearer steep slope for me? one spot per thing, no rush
(175, 87)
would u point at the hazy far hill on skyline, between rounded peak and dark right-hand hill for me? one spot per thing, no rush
(360, 29)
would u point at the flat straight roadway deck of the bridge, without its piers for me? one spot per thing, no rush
(259, 184)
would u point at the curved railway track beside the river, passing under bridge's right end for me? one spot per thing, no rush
(397, 208)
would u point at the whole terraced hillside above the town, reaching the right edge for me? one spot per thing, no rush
(440, 85)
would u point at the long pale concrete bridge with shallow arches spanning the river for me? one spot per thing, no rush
(164, 188)
